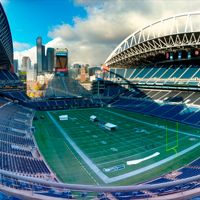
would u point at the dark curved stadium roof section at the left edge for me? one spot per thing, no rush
(6, 44)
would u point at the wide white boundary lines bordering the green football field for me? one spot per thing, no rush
(99, 173)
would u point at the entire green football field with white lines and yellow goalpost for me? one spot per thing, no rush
(141, 147)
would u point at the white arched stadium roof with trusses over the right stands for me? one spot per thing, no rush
(177, 32)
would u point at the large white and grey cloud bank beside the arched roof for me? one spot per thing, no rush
(91, 40)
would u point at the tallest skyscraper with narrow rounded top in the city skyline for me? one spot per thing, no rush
(40, 55)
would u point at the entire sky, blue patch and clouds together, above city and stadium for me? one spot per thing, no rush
(84, 27)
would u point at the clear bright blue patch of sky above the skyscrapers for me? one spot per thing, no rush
(31, 18)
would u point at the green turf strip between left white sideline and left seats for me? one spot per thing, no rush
(58, 155)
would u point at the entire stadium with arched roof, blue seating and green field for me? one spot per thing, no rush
(135, 135)
